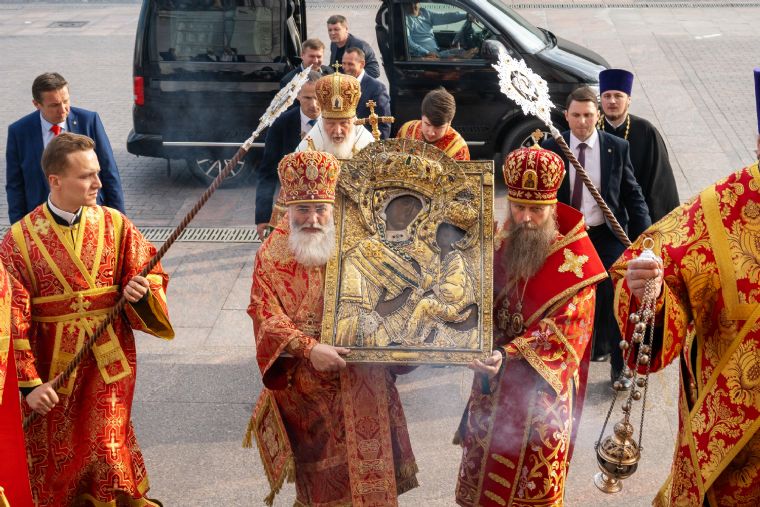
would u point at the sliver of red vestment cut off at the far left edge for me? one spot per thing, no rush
(14, 479)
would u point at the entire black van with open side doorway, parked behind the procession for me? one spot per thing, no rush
(205, 71)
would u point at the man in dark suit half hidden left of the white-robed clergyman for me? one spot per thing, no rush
(282, 138)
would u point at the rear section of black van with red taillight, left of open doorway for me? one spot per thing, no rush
(204, 72)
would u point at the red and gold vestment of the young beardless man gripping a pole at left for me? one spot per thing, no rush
(69, 278)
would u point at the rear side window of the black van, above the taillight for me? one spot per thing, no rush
(218, 30)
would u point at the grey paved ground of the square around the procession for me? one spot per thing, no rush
(194, 395)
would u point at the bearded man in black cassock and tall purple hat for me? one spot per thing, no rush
(649, 155)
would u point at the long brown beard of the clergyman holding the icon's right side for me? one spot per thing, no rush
(527, 248)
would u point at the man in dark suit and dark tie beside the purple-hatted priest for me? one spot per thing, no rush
(607, 161)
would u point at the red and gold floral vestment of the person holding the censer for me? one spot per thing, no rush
(709, 314)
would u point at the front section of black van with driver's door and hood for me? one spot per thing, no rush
(490, 123)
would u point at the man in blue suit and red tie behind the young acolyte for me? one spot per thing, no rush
(25, 184)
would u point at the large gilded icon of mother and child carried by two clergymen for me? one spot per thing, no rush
(412, 279)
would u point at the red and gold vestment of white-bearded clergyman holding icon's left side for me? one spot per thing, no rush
(343, 435)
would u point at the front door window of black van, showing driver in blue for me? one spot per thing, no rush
(438, 30)
